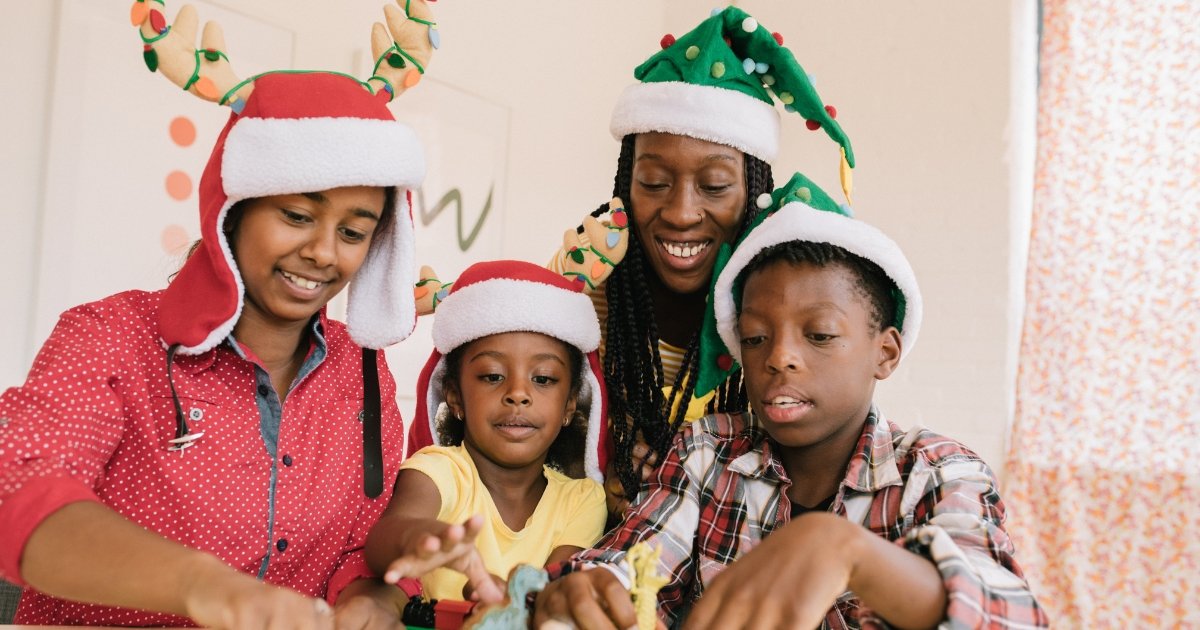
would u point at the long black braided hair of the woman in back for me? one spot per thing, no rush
(633, 367)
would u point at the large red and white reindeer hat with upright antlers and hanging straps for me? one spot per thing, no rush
(295, 133)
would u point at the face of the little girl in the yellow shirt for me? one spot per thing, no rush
(515, 393)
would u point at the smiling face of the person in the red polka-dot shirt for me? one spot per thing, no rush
(297, 251)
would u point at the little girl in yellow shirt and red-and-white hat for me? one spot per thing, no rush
(514, 395)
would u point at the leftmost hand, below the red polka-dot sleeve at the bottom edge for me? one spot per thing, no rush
(220, 597)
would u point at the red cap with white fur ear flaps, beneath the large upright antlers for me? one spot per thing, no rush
(303, 133)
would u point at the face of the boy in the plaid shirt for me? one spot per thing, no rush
(812, 353)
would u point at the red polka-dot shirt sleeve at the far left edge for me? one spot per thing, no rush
(59, 430)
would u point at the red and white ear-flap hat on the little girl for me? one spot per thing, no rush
(515, 297)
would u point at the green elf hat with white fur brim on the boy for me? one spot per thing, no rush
(799, 212)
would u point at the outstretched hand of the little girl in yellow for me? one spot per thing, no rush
(455, 550)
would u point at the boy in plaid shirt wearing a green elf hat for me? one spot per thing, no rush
(811, 509)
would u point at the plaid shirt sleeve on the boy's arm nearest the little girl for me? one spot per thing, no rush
(667, 517)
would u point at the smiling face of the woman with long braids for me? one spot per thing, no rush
(687, 199)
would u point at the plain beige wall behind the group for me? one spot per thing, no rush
(923, 89)
